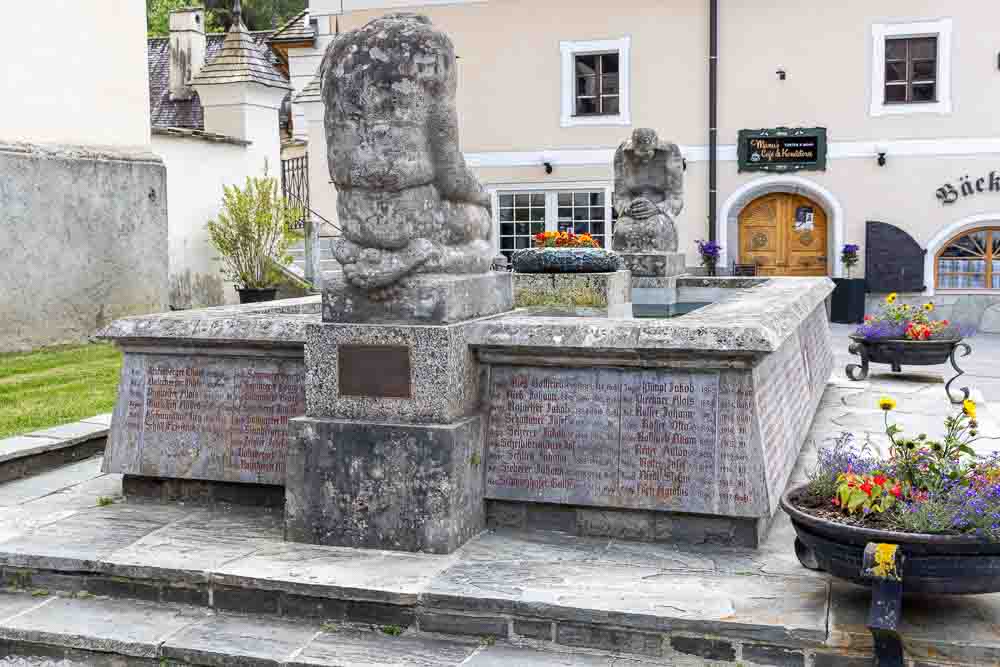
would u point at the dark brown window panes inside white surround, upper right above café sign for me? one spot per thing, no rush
(911, 70)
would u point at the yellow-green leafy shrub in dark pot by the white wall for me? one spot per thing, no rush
(252, 235)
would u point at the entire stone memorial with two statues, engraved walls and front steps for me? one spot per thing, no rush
(423, 449)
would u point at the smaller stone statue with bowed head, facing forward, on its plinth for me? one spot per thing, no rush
(649, 194)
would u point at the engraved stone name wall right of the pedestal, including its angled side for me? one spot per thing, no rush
(720, 442)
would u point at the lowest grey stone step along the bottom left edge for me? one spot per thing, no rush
(87, 630)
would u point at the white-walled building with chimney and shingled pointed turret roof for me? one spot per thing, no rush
(215, 103)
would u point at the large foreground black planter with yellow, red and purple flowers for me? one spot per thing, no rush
(924, 518)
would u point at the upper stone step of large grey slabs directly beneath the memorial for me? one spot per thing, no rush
(652, 602)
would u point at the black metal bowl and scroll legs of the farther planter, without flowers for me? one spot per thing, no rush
(899, 352)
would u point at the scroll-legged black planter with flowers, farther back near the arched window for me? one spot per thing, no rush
(901, 334)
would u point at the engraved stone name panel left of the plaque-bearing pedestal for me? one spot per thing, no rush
(205, 417)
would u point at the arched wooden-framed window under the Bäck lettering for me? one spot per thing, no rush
(970, 260)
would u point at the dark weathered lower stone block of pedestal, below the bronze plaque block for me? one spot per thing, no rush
(385, 486)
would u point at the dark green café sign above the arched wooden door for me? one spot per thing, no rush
(783, 149)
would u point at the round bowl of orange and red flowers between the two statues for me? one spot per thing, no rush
(565, 252)
